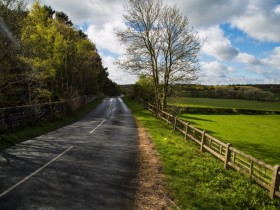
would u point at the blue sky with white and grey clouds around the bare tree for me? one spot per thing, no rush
(241, 37)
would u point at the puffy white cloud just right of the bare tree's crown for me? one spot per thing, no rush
(217, 45)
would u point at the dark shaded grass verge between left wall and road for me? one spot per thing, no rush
(42, 127)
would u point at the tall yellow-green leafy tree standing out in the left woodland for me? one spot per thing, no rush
(37, 38)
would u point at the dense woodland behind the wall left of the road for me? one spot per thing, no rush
(44, 58)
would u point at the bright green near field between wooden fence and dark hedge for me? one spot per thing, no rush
(256, 135)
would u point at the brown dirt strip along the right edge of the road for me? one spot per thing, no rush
(151, 193)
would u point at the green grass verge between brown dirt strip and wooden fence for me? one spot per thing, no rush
(197, 180)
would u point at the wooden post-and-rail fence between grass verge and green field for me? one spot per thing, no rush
(264, 174)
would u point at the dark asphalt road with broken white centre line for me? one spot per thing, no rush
(91, 164)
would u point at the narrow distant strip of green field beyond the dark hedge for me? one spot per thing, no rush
(225, 103)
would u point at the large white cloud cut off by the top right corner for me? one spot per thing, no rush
(261, 20)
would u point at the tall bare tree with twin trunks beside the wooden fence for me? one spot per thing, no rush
(159, 43)
